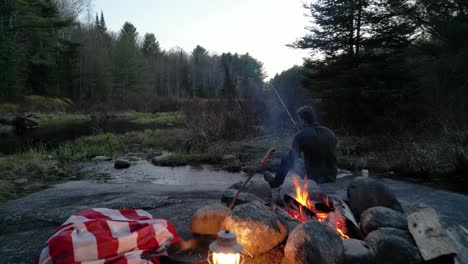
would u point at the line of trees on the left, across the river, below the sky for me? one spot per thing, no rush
(46, 50)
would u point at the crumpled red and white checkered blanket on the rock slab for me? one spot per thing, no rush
(98, 236)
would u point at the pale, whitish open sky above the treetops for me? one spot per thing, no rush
(260, 27)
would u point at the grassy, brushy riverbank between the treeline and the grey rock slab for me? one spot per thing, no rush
(437, 161)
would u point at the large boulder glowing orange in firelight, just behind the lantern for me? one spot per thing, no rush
(257, 227)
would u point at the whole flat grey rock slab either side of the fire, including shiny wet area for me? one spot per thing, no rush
(177, 194)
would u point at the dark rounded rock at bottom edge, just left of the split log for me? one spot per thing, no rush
(392, 245)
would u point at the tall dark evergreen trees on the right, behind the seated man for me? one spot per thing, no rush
(387, 65)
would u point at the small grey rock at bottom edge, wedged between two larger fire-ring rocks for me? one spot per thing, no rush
(358, 252)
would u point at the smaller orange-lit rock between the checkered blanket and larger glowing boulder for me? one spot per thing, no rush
(208, 220)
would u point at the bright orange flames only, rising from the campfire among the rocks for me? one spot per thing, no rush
(302, 197)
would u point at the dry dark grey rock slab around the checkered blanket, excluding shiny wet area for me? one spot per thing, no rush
(28, 223)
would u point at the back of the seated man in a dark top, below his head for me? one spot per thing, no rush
(318, 144)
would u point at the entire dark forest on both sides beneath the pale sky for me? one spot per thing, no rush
(377, 64)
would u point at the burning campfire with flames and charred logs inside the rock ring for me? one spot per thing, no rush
(303, 208)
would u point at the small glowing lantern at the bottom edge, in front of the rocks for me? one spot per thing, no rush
(225, 250)
